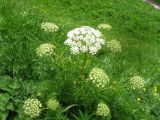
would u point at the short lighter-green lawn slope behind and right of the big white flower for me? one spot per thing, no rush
(135, 25)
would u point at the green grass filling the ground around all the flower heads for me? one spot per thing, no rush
(135, 24)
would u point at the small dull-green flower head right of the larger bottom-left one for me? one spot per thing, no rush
(53, 104)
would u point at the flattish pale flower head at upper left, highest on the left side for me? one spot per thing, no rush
(49, 27)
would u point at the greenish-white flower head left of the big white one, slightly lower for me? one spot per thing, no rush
(45, 49)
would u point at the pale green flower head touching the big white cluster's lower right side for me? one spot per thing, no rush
(114, 46)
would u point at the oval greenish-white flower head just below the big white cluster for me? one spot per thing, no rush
(98, 78)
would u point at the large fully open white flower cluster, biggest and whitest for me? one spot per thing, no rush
(84, 39)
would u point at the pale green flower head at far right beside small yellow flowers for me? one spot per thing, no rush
(137, 82)
